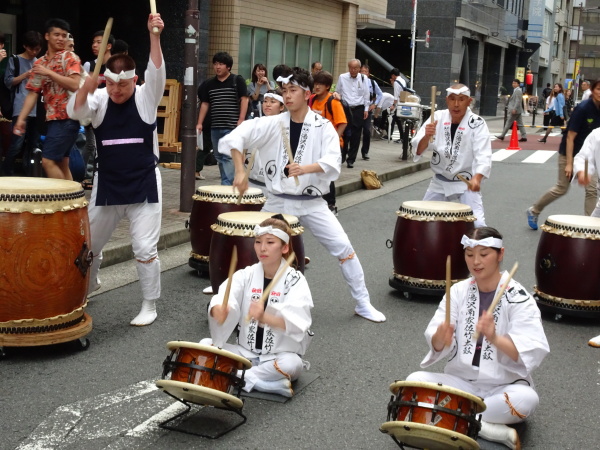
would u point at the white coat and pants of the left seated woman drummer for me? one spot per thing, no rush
(280, 351)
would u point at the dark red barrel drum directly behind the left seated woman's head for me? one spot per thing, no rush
(237, 228)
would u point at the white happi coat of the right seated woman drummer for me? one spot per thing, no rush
(516, 315)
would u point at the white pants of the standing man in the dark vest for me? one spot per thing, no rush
(144, 227)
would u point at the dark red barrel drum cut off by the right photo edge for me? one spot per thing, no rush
(567, 265)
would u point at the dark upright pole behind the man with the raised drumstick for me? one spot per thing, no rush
(189, 115)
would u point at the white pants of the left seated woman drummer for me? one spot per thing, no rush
(284, 365)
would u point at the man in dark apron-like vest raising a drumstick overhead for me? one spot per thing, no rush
(127, 182)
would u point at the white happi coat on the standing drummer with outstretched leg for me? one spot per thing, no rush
(318, 143)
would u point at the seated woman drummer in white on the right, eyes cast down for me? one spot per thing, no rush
(497, 366)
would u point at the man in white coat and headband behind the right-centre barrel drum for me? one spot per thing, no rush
(461, 147)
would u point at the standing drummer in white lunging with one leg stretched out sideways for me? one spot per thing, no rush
(316, 162)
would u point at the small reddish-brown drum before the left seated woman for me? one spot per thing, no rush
(203, 374)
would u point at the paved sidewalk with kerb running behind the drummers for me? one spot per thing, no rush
(385, 160)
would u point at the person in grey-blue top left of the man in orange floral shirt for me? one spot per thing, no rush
(15, 80)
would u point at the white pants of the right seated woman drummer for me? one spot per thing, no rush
(508, 403)
